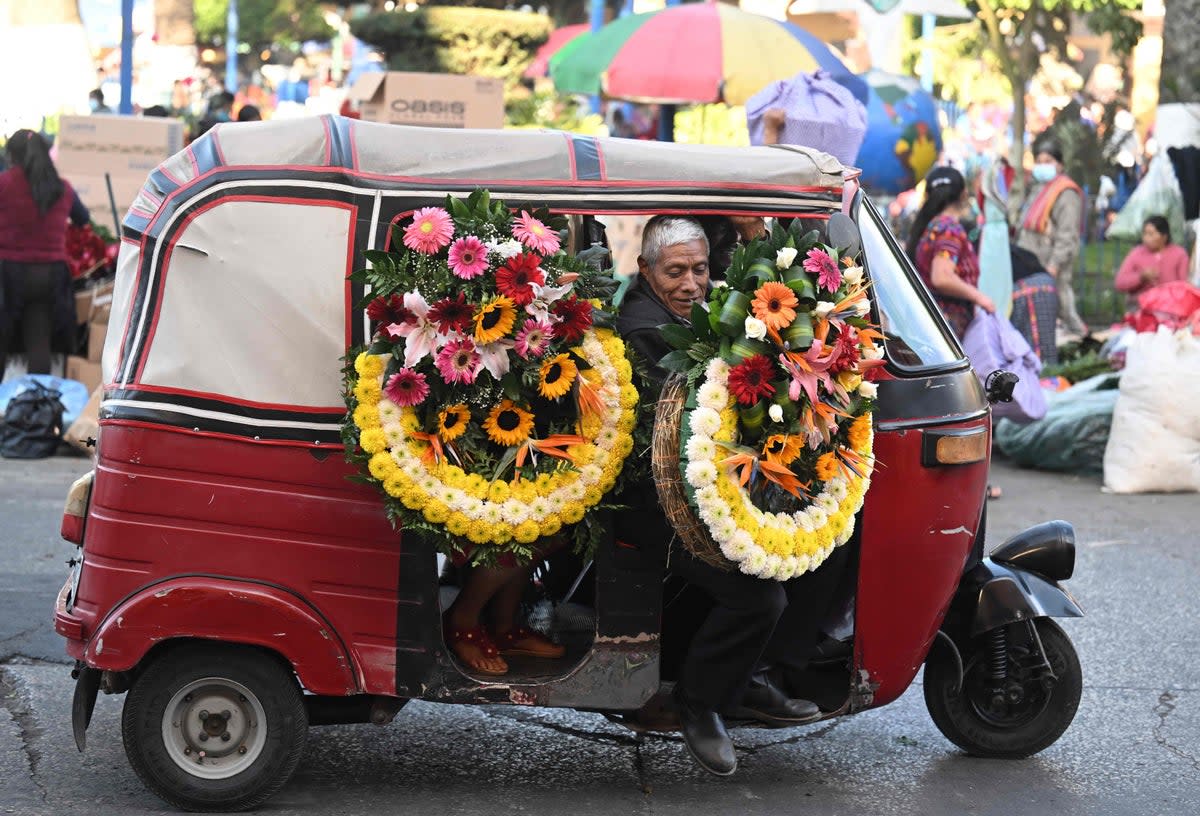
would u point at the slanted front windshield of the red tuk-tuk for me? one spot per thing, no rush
(956, 358)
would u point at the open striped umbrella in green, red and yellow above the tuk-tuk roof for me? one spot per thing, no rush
(704, 52)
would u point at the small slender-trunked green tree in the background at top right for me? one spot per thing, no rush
(1017, 33)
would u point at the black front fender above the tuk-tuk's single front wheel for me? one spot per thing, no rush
(1010, 595)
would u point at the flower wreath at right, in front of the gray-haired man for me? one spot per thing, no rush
(777, 442)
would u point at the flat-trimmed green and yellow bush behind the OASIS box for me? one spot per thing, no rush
(485, 43)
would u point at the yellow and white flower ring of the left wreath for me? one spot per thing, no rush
(485, 512)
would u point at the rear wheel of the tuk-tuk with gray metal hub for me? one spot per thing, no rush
(215, 728)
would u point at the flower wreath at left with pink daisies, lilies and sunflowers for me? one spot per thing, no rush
(494, 407)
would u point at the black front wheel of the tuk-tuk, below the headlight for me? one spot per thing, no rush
(1027, 716)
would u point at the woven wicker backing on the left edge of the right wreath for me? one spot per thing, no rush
(669, 478)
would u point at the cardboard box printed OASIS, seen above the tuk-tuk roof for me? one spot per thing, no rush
(430, 100)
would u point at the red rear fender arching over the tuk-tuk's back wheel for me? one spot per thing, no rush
(231, 611)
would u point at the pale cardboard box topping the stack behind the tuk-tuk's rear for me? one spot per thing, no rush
(121, 146)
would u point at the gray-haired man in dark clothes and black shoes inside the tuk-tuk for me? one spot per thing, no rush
(719, 675)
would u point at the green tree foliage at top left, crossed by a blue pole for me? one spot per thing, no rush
(263, 23)
